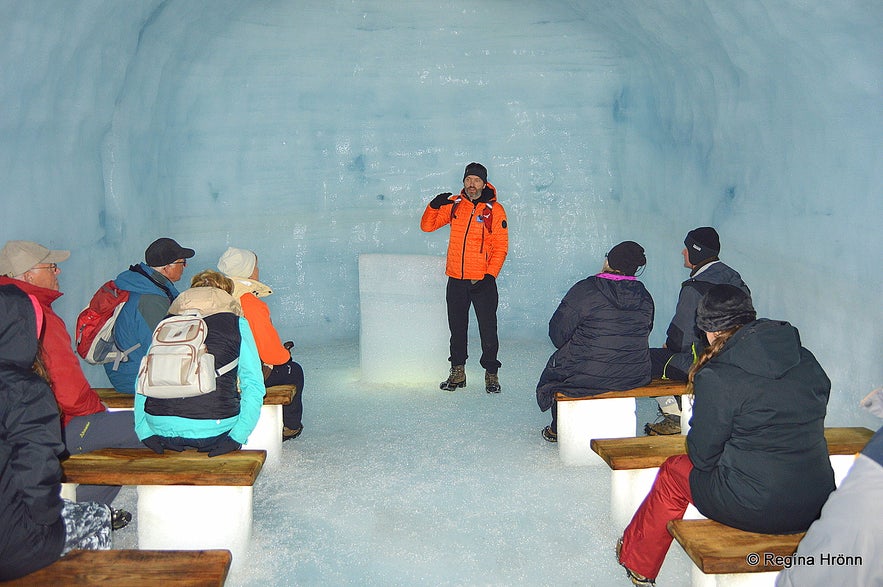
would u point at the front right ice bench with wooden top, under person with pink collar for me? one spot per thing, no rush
(606, 415)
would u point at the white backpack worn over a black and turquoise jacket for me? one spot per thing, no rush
(177, 364)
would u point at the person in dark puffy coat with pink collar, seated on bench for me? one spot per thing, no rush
(600, 330)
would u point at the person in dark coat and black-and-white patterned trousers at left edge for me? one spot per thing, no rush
(38, 526)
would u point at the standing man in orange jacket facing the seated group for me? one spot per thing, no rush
(477, 248)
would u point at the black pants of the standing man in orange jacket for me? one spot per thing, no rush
(483, 296)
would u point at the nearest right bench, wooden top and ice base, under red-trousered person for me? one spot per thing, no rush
(725, 555)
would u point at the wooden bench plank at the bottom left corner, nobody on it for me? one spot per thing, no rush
(134, 568)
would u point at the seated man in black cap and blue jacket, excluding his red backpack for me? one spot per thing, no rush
(151, 291)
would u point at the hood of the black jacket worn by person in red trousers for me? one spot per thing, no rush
(768, 348)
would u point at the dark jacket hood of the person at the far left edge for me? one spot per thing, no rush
(18, 328)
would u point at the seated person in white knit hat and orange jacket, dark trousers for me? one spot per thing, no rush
(241, 266)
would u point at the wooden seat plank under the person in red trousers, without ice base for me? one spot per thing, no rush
(716, 548)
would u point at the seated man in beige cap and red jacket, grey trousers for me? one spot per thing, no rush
(85, 422)
